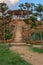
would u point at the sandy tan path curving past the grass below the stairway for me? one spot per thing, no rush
(29, 56)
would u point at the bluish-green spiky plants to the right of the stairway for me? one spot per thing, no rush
(34, 36)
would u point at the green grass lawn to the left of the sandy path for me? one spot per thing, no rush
(10, 58)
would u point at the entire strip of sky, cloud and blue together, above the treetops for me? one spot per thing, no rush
(13, 4)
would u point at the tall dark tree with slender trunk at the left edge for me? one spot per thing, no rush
(5, 17)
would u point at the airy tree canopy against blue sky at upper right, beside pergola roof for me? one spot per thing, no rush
(36, 10)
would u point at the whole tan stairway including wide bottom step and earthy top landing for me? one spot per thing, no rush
(18, 37)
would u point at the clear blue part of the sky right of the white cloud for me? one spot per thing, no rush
(15, 6)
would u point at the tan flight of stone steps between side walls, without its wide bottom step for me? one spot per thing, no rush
(18, 33)
